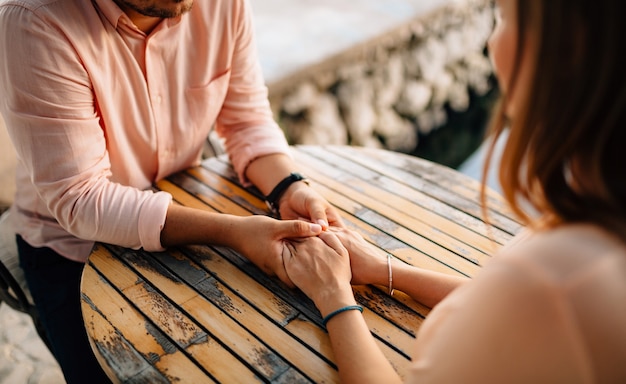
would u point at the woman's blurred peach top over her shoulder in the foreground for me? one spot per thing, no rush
(549, 309)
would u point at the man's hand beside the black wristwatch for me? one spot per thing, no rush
(302, 201)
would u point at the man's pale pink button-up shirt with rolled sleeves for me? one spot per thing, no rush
(98, 111)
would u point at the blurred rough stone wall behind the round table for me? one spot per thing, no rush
(388, 92)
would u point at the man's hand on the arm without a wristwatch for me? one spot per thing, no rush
(261, 240)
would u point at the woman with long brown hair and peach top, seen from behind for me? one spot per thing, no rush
(550, 308)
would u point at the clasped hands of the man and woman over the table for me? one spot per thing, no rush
(310, 248)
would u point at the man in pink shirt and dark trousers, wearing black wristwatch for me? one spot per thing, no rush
(101, 98)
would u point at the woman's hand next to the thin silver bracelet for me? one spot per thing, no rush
(369, 265)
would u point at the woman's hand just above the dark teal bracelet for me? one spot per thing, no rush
(320, 267)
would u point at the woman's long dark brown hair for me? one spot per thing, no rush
(566, 151)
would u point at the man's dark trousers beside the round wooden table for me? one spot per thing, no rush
(54, 282)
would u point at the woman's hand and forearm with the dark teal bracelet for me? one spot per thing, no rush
(323, 273)
